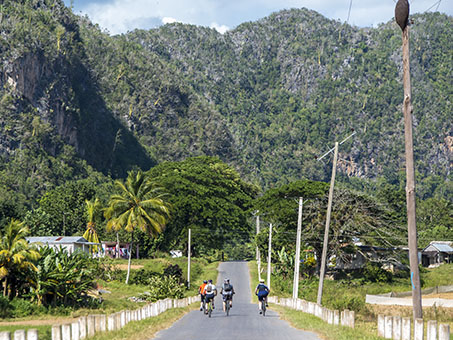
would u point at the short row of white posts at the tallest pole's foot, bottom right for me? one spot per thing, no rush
(395, 327)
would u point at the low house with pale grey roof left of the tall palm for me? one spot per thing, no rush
(69, 243)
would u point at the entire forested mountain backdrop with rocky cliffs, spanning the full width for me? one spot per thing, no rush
(266, 97)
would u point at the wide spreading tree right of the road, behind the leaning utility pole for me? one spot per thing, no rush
(355, 217)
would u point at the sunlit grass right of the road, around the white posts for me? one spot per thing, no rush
(350, 294)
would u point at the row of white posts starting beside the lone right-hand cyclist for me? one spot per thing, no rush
(333, 317)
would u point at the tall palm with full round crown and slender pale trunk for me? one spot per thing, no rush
(139, 204)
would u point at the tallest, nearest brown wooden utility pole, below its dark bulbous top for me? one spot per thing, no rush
(410, 181)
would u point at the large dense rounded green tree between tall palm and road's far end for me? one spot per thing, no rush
(209, 197)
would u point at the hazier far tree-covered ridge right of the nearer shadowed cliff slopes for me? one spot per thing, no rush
(297, 81)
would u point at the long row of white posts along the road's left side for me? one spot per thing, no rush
(87, 326)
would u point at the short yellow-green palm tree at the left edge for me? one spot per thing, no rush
(15, 252)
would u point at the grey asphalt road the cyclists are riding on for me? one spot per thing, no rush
(244, 321)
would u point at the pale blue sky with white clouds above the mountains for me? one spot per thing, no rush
(121, 16)
